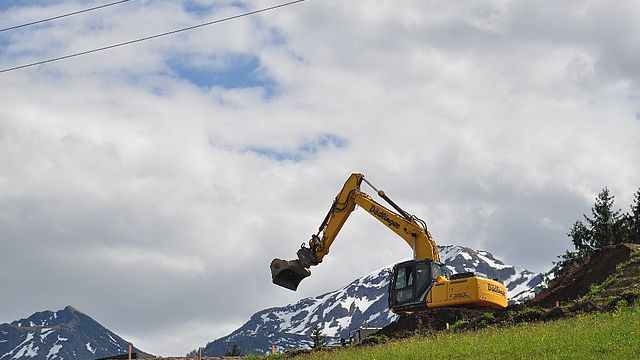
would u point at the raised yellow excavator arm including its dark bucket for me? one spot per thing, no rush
(413, 230)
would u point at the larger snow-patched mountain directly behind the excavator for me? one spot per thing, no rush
(361, 303)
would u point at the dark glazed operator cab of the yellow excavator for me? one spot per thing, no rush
(410, 283)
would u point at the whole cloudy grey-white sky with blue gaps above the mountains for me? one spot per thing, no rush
(151, 185)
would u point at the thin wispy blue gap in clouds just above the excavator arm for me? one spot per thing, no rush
(306, 150)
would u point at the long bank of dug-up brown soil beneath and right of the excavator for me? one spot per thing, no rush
(571, 286)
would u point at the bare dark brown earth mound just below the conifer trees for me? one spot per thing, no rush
(577, 281)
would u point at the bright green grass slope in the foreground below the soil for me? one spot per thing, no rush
(613, 335)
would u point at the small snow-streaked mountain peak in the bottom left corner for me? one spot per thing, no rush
(64, 334)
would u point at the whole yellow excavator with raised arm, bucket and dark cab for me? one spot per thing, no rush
(416, 284)
